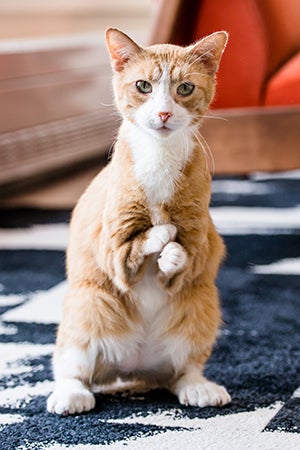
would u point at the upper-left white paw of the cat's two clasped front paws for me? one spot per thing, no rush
(158, 237)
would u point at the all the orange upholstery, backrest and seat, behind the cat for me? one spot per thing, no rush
(261, 65)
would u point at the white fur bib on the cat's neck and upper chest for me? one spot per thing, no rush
(158, 161)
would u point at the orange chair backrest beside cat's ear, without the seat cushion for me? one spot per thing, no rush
(244, 64)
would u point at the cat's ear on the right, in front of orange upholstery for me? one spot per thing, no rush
(209, 50)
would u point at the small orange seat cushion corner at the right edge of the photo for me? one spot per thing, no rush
(284, 87)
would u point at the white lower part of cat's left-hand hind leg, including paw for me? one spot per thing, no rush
(71, 393)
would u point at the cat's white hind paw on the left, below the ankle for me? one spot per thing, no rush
(70, 400)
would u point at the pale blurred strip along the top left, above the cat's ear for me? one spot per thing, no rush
(21, 19)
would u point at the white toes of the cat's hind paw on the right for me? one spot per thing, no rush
(203, 394)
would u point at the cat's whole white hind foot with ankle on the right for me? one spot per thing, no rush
(193, 389)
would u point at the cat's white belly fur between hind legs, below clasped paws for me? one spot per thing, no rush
(150, 348)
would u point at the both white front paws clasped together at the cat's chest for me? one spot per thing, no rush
(172, 255)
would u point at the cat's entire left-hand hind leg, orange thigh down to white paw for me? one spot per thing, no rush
(81, 358)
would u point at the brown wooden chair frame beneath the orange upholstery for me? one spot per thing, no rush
(246, 140)
